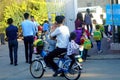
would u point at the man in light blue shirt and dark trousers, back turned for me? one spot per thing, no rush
(28, 34)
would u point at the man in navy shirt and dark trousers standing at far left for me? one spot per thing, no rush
(11, 33)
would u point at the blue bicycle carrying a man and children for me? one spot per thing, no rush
(38, 67)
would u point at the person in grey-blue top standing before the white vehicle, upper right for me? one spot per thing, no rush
(88, 20)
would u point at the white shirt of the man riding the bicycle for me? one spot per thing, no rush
(62, 35)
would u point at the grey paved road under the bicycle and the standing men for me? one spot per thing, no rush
(98, 67)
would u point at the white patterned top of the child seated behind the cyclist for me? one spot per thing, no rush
(71, 47)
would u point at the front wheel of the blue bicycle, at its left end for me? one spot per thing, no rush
(36, 69)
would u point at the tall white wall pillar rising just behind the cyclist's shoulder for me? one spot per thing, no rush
(70, 13)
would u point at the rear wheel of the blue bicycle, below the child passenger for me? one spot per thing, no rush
(72, 74)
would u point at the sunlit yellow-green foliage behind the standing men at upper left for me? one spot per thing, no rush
(16, 8)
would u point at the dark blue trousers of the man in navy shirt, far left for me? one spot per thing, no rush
(13, 46)
